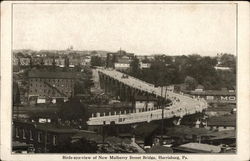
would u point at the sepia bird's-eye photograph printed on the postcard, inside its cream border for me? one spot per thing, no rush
(124, 78)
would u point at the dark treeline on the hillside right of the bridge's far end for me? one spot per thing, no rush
(192, 70)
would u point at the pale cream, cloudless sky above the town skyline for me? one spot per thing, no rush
(172, 29)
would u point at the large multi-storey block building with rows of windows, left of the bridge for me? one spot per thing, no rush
(52, 84)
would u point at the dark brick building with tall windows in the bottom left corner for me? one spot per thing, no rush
(43, 137)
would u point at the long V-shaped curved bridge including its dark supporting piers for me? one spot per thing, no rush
(126, 87)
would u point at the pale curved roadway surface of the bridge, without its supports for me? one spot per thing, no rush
(181, 104)
